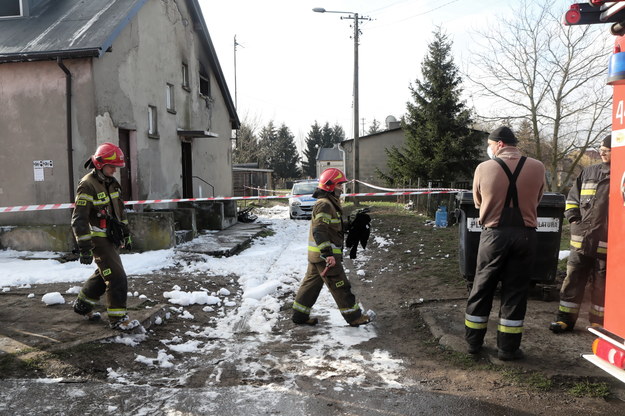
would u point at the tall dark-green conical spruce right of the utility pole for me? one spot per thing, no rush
(439, 143)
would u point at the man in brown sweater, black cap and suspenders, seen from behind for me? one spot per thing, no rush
(506, 190)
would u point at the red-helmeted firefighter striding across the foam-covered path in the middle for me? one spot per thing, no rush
(325, 255)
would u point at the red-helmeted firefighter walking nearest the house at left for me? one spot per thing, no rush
(100, 227)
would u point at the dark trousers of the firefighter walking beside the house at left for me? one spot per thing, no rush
(109, 279)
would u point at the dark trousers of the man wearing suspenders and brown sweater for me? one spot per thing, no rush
(505, 254)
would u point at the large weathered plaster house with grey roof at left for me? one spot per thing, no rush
(142, 74)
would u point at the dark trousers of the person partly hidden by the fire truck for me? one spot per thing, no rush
(581, 269)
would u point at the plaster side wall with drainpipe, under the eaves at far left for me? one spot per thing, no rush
(33, 126)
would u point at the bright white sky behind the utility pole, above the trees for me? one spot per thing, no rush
(295, 66)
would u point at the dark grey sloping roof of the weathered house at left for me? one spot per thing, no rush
(69, 29)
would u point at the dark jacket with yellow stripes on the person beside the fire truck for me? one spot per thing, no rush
(587, 202)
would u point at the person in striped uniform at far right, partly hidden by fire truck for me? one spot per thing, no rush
(587, 211)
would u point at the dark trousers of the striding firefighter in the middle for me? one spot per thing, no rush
(339, 287)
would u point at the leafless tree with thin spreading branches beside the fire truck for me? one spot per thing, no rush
(532, 68)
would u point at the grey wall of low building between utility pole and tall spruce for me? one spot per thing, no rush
(372, 155)
